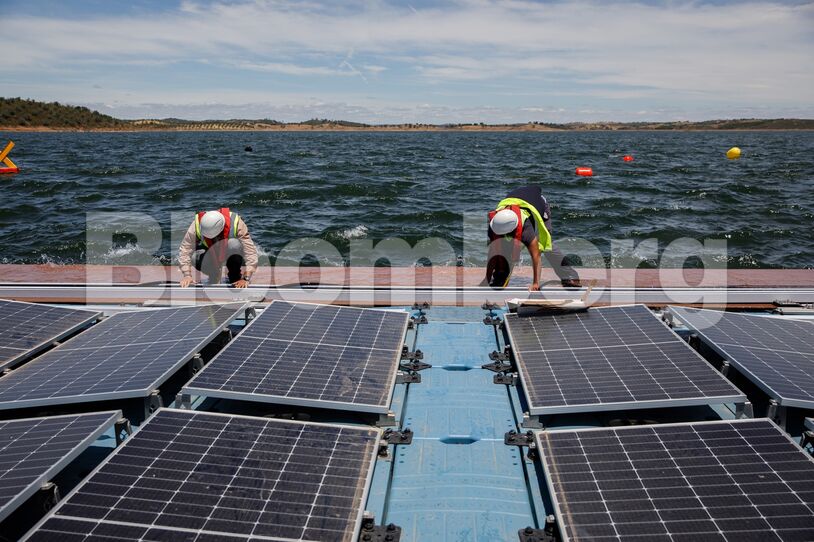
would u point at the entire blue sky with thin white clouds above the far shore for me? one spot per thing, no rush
(421, 61)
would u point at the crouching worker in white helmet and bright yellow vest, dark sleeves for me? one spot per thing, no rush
(523, 218)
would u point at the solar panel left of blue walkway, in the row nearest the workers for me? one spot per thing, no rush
(310, 355)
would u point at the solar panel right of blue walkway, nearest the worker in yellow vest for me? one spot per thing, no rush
(610, 358)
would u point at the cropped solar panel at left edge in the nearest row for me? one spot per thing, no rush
(34, 450)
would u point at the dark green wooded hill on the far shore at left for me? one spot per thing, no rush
(16, 112)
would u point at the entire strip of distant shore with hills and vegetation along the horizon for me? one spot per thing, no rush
(30, 115)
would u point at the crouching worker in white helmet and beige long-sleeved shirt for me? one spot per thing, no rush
(213, 239)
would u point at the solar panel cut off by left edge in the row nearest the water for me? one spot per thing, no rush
(27, 328)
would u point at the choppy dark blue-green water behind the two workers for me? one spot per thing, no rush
(343, 186)
